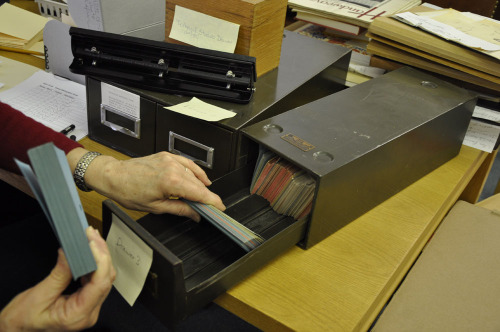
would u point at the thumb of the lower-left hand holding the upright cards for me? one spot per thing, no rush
(58, 279)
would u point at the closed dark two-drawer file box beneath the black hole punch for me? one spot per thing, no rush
(309, 69)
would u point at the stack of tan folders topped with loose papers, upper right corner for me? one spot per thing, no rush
(471, 66)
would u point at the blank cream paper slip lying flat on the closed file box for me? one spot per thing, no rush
(201, 110)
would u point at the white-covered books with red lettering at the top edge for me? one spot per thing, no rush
(347, 16)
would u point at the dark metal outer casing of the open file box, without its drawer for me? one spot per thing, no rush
(369, 141)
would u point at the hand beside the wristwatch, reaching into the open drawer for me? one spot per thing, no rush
(149, 183)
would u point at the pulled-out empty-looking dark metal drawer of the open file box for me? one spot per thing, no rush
(193, 263)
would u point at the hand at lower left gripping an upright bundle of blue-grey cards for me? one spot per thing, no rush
(43, 307)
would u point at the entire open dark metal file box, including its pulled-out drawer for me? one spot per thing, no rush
(361, 145)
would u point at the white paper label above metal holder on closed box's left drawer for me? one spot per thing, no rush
(121, 100)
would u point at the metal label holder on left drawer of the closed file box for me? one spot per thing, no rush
(120, 122)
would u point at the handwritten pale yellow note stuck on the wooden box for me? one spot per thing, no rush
(201, 30)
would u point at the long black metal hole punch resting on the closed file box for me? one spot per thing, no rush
(161, 66)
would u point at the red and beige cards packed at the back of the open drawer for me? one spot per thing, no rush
(288, 189)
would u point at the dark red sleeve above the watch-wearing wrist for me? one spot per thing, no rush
(18, 133)
